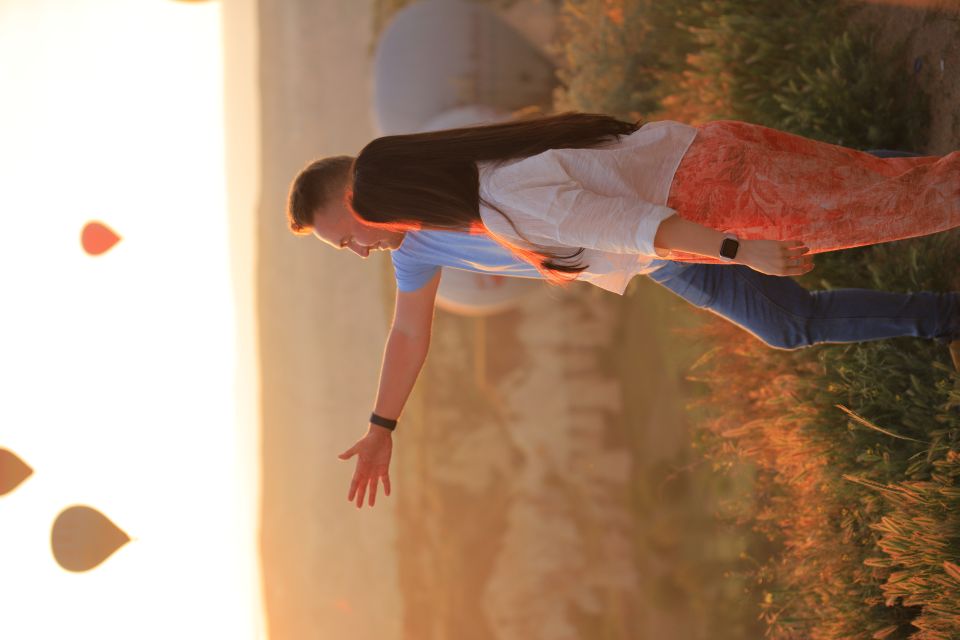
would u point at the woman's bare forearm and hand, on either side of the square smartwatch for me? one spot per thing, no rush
(773, 257)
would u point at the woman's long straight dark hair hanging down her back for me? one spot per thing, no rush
(430, 180)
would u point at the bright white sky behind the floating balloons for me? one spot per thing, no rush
(117, 371)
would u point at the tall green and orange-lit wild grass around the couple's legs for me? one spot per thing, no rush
(834, 468)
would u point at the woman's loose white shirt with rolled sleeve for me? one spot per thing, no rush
(609, 200)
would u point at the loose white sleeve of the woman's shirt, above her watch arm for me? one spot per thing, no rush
(561, 210)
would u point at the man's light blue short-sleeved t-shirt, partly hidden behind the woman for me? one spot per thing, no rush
(423, 252)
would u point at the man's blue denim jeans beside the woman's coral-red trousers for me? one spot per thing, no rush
(784, 315)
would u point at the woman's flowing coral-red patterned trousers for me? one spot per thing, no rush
(761, 183)
